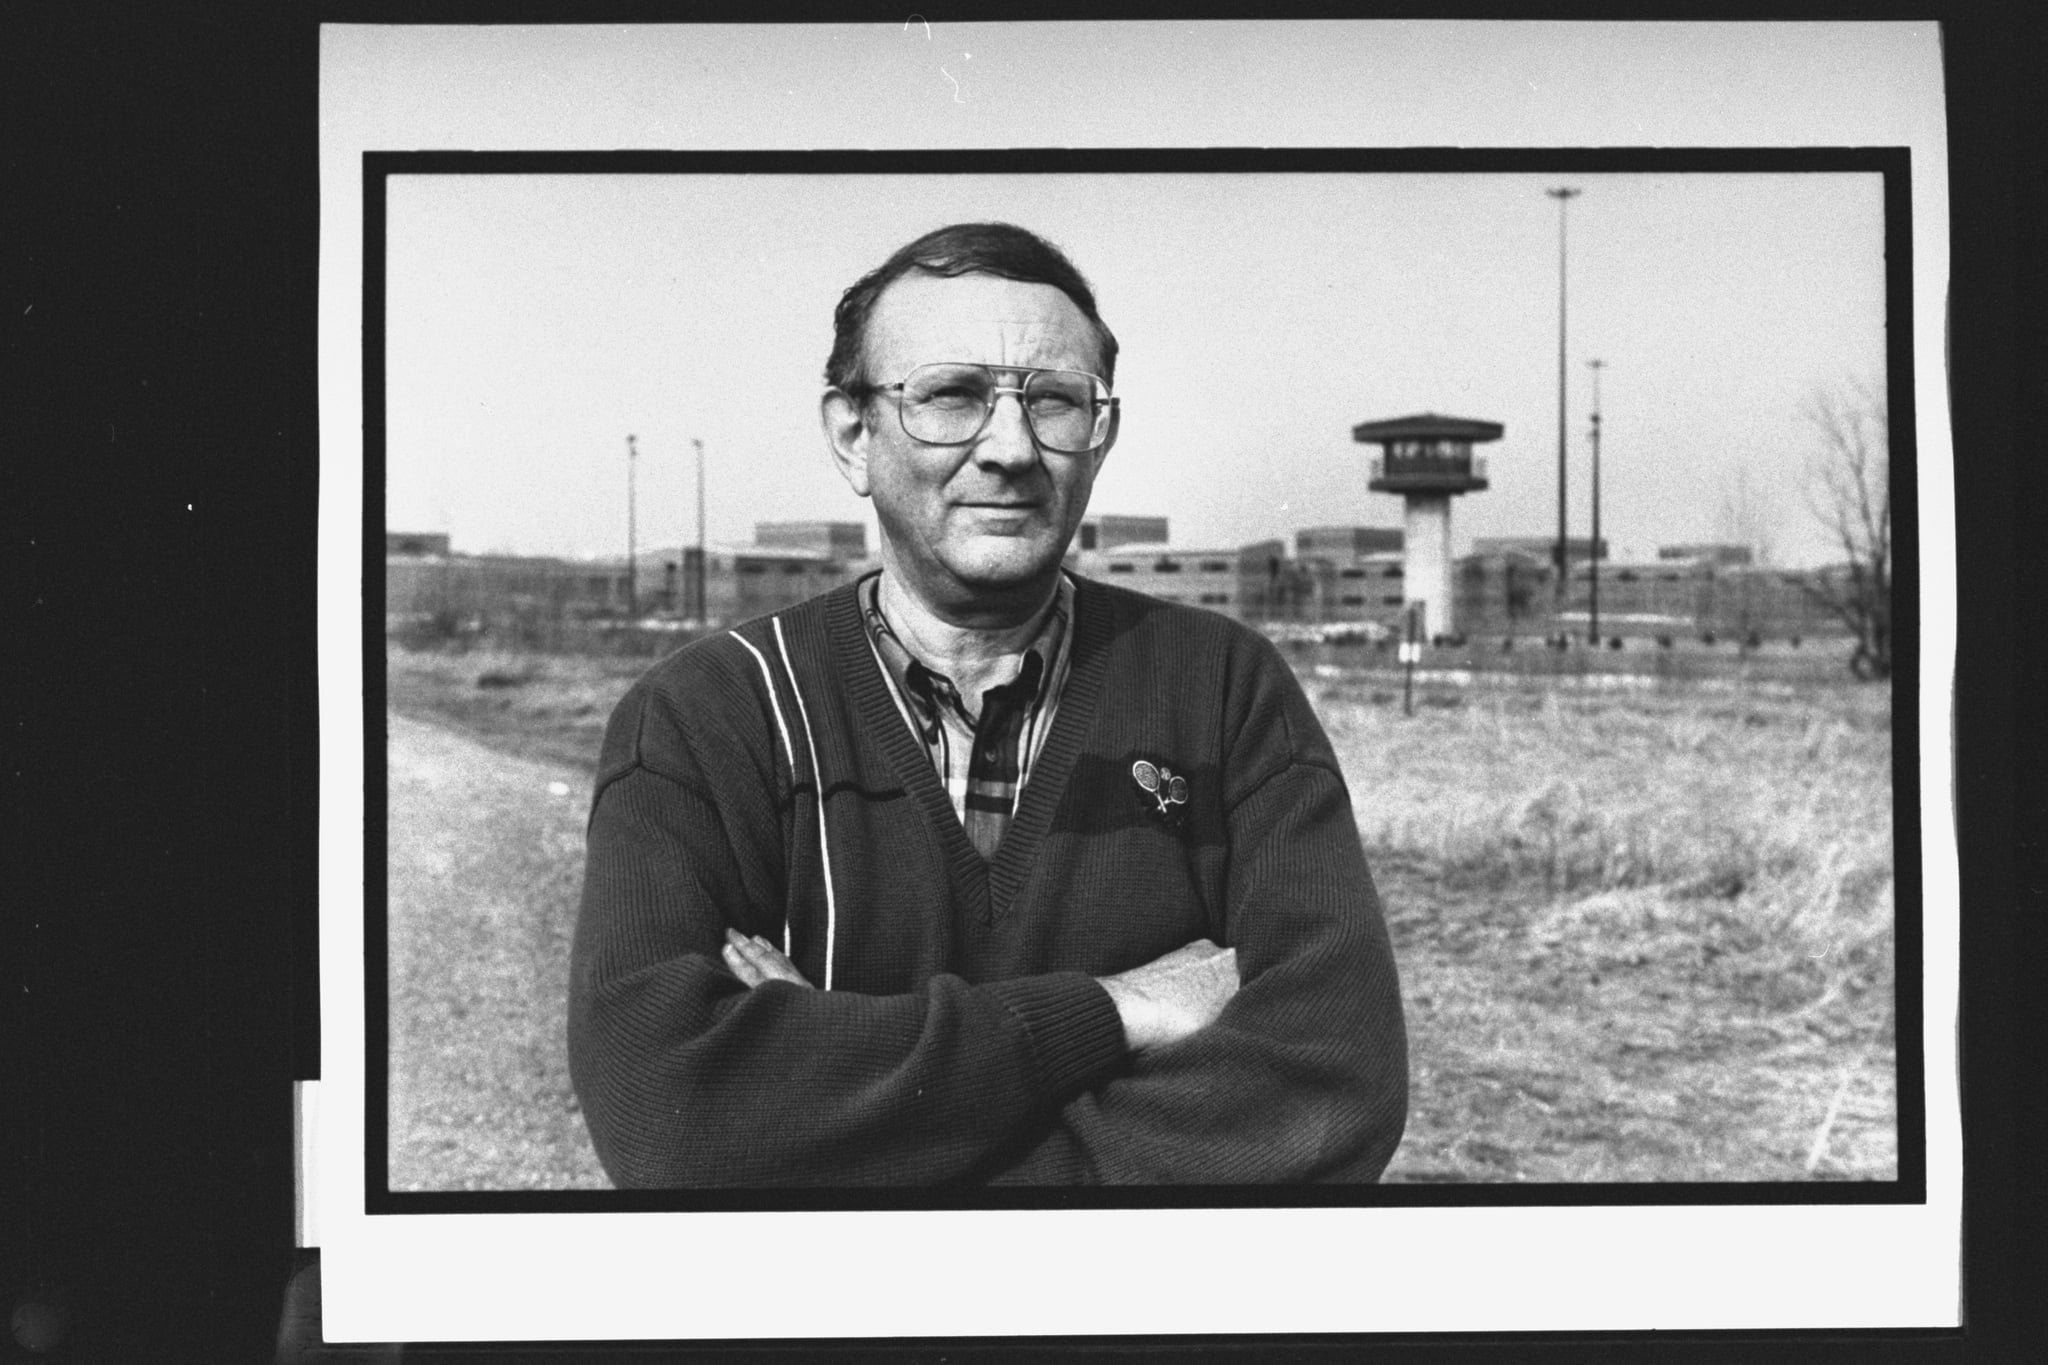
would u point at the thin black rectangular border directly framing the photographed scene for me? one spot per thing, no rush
(1912, 1118)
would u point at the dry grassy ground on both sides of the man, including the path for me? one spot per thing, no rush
(1646, 932)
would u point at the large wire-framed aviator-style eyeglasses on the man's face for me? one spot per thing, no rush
(951, 404)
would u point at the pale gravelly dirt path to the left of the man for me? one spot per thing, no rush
(486, 865)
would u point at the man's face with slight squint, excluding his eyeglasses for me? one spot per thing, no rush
(974, 527)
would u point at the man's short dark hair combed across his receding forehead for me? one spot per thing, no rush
(964, 249)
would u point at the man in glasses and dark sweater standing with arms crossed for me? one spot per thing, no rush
(976, 873)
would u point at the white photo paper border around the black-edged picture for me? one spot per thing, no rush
(1115, 1272)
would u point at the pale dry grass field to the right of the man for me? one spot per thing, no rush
(1644, 936)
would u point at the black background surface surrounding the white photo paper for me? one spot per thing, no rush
(159, 488)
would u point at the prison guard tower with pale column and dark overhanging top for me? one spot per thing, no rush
(1428, 459)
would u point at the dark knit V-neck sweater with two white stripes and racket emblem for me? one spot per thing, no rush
(964, 1037)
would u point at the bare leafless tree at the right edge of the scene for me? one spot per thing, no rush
(1850, 492)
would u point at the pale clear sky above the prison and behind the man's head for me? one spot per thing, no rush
(538, 320)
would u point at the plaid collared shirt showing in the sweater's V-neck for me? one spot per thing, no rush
(984, 760)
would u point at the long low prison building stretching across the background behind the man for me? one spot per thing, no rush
(1500, 592)
